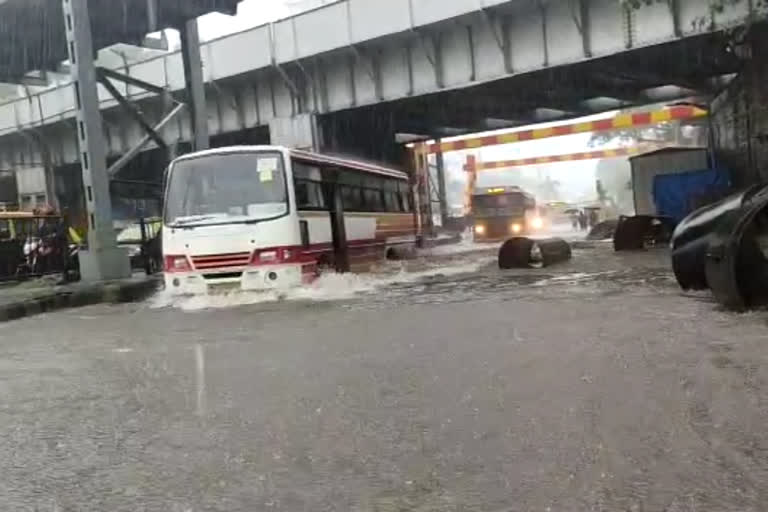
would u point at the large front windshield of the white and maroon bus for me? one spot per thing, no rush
(226, 189)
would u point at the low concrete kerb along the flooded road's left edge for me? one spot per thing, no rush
(80, 295)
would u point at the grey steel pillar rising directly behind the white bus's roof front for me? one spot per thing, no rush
(193, 76)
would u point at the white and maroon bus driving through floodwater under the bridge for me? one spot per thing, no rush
(257, 217)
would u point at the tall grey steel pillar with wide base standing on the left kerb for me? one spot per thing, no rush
(103, 260)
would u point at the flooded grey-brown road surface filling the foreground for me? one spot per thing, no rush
(595, 385)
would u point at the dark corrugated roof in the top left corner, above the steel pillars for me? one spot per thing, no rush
(32, 31)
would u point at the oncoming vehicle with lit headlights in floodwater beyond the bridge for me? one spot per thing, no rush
(501, 212)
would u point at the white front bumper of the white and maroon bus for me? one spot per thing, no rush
(254, 278)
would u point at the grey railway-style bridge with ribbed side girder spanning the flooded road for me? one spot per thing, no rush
(349, 75)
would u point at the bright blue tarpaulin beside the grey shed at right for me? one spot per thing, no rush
(677, 195)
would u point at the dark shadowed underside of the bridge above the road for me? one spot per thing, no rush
(694, 69)
